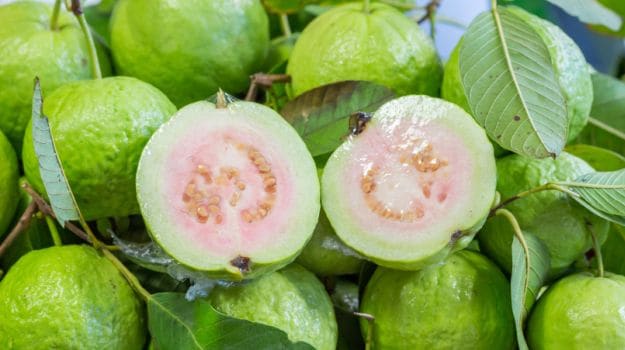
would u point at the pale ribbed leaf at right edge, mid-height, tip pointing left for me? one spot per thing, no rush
(603, 193)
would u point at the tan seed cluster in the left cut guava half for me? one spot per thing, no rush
(200, 196)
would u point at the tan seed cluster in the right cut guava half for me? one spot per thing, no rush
(423, 161)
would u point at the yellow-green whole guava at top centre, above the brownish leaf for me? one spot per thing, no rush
(382, 45)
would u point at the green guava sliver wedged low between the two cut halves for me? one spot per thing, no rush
(326, 255)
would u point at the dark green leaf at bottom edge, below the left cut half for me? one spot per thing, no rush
(176, 323)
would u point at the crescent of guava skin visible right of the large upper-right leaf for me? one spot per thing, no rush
(571, 70)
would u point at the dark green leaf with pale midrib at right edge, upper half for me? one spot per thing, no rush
(607, 123)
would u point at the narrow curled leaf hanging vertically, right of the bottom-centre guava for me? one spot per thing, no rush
(530, 265)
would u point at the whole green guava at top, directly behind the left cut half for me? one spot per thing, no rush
(190, 48)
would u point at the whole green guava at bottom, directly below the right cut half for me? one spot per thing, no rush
(462, 303)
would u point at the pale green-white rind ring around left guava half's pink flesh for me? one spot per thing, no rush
(154, 201)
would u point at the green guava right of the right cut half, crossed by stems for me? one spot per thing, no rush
(558, 221)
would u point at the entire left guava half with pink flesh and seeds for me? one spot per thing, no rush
(229, 191)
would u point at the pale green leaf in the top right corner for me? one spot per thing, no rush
(591, 12)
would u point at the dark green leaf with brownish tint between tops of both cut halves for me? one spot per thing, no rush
(321, 115)
